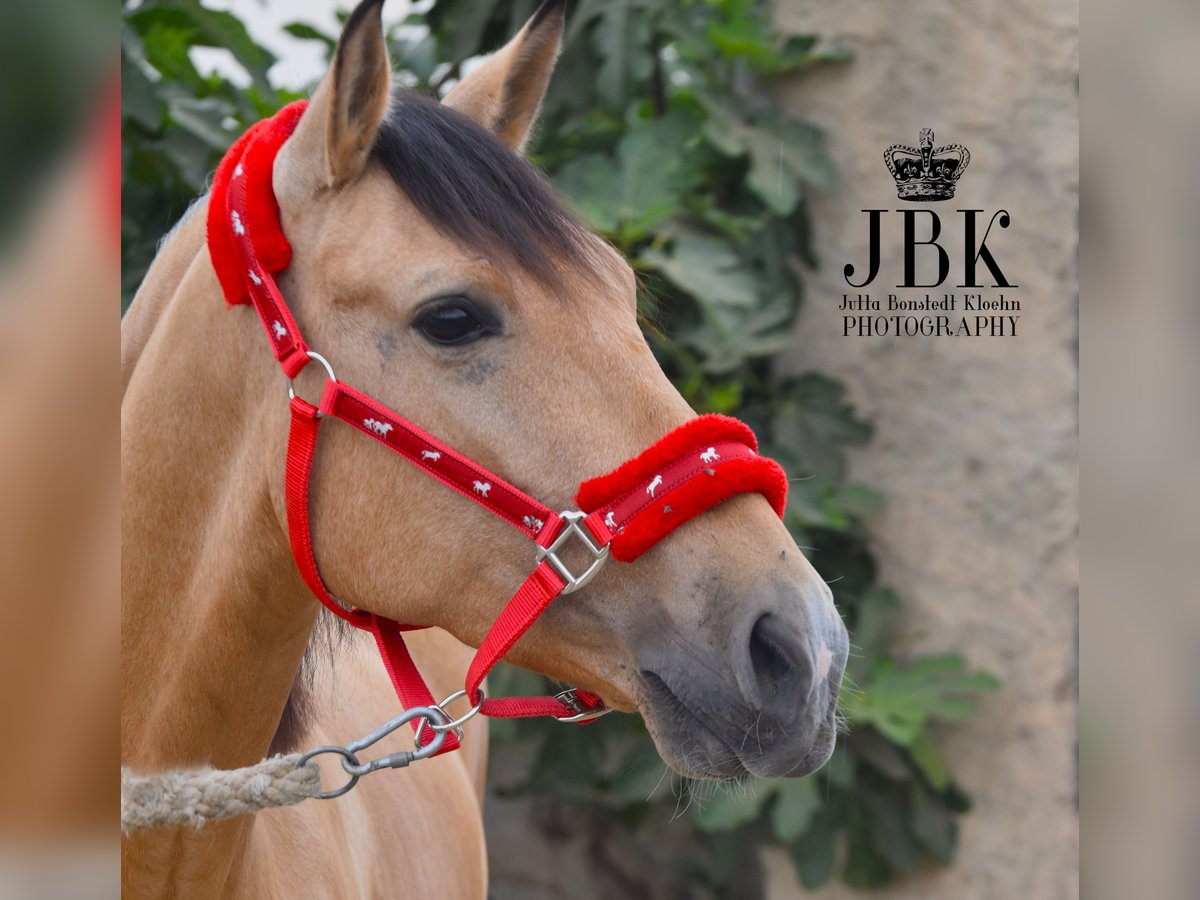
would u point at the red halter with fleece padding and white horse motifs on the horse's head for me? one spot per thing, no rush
(627, 513)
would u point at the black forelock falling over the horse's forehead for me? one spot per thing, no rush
(476, 190)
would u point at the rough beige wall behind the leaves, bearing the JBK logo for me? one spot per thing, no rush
(975, 437)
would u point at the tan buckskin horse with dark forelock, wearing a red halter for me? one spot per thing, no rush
(437, 272)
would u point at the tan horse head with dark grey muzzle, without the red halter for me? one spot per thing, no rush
(439, 272)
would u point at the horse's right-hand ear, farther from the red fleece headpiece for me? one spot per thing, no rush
(505, 94)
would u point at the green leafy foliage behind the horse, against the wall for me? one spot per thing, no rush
(662, 129)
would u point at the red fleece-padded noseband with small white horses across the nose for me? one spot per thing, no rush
(692, 470)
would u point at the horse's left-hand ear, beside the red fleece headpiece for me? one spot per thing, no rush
(334, 139)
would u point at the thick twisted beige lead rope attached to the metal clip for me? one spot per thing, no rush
(199, 796)
